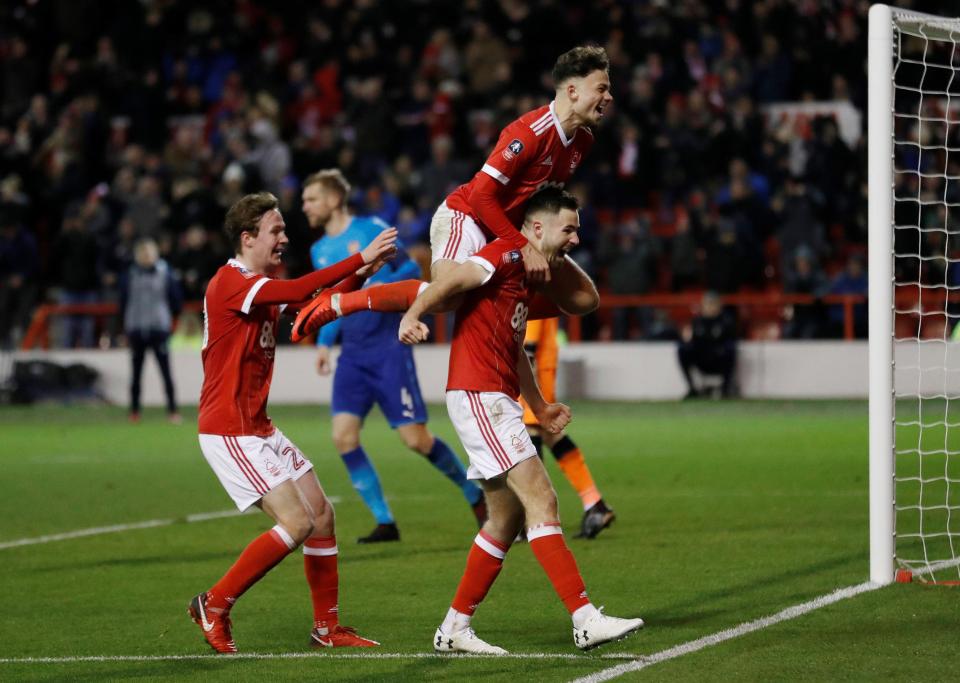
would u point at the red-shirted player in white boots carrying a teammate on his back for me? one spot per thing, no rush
(488, 370)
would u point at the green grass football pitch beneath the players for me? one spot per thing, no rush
(727, 512)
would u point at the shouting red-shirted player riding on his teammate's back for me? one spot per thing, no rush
(541, 148)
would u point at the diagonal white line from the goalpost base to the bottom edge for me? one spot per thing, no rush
(748, 627)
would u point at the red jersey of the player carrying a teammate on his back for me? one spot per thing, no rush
(490, 325)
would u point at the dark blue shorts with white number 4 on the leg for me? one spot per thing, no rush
(388, 379)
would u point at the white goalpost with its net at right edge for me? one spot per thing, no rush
(914, 302)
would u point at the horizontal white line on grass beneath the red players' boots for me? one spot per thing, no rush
(302, 655)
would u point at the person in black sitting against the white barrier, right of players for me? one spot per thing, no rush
(709, 345)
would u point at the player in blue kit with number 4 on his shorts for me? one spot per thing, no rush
(373, 367)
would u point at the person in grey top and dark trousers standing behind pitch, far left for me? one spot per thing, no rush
(150, 300)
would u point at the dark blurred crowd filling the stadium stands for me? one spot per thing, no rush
(122, 119)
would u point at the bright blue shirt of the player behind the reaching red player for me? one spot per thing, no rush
(367, 331)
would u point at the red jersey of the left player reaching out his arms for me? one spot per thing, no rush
(239, 344)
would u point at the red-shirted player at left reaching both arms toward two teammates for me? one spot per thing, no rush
(254, 461)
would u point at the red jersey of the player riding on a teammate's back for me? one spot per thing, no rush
(530, 153)
